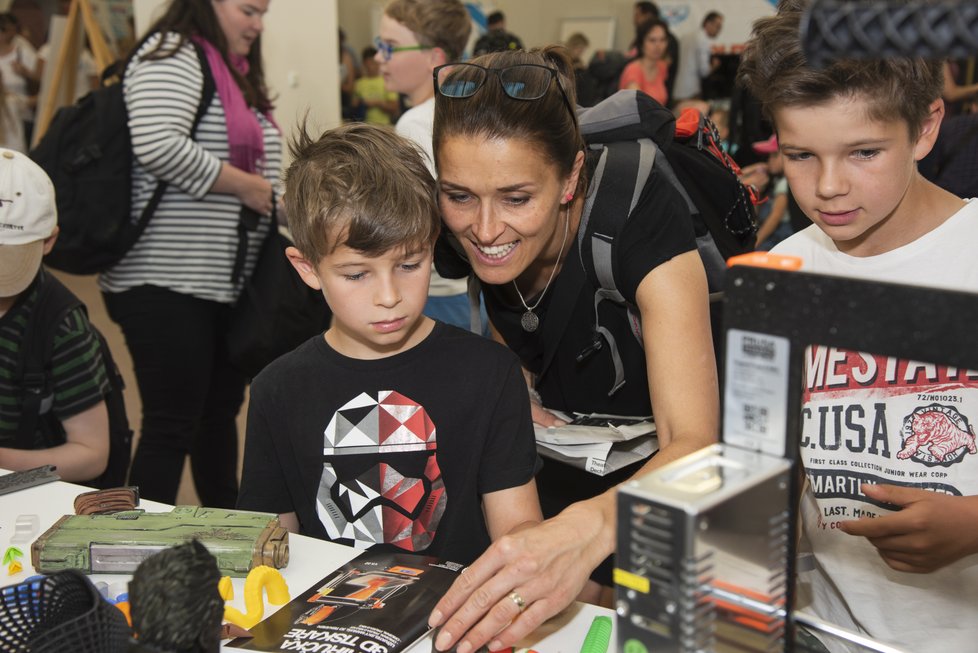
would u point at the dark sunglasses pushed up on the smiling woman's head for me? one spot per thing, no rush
(525, 81)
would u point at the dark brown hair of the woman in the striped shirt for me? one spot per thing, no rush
(196, 18)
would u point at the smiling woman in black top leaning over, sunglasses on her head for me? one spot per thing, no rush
(513, 181)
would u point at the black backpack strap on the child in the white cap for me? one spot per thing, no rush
(54, 302)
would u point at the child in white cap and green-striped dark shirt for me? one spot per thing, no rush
(79, 382)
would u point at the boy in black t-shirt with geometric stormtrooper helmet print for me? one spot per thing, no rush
(390, 429)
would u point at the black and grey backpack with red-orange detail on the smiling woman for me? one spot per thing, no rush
(629, 137)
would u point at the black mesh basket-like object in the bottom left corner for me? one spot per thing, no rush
(60, 613)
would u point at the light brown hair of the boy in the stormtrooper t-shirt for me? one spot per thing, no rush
(362, 186)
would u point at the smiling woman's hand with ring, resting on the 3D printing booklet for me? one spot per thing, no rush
(545, 565)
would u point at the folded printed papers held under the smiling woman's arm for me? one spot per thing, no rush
(597, 443)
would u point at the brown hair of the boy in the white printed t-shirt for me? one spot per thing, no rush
(774, 68)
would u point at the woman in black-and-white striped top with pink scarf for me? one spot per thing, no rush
(172, 293)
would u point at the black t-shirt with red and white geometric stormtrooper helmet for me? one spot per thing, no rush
(393, 453)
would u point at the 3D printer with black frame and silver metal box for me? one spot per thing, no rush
(707, 544)
